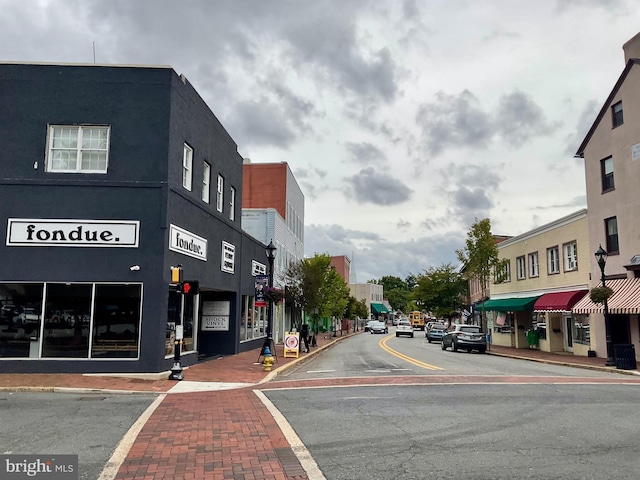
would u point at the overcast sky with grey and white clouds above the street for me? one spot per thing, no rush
(403, 121)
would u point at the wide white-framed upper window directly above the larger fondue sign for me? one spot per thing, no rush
(78, 149)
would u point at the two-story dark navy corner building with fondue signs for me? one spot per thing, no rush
(110, 176)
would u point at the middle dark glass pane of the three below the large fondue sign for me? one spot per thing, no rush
(66, 320)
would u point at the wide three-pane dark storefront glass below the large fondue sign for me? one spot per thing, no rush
(70, 320)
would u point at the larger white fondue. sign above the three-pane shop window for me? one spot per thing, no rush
(26, 232)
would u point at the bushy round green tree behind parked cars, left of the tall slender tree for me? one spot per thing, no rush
(441, 291)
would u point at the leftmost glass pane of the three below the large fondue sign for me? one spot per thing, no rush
(20, 319)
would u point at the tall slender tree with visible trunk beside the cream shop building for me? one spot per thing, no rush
(480, 257)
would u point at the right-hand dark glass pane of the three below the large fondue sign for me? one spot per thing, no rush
(116, 328)
